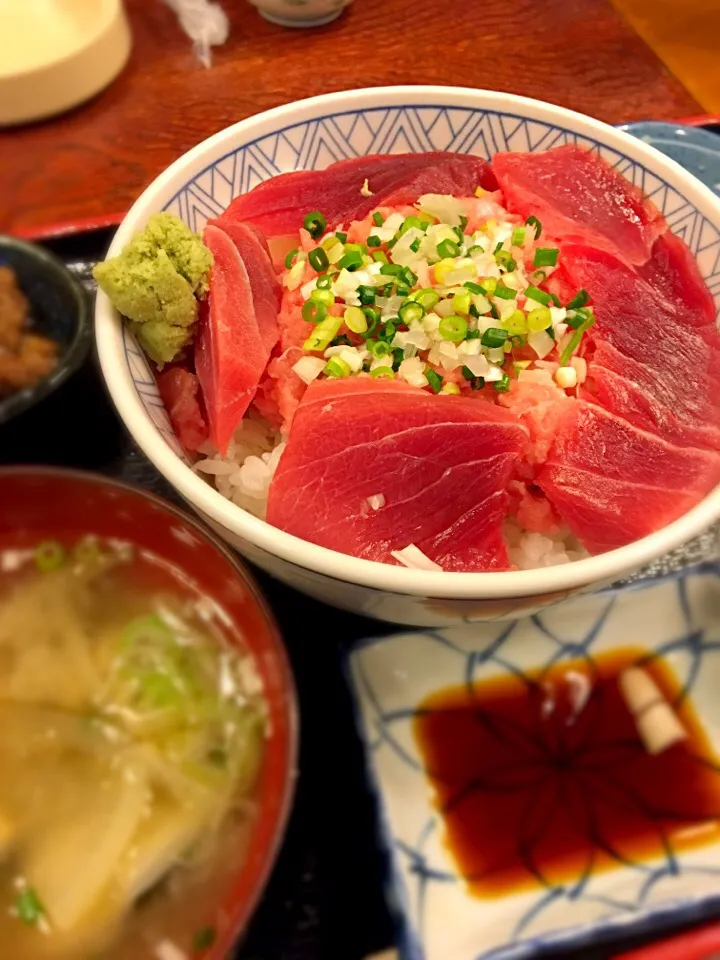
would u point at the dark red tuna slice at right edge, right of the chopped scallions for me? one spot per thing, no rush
(655, 361)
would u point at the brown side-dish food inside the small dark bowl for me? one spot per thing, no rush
(25, 357)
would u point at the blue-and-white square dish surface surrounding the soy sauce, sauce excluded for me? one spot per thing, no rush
(676, 618)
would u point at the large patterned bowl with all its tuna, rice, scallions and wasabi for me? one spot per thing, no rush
(425, 376)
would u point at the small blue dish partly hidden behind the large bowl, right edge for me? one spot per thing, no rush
(694, 148)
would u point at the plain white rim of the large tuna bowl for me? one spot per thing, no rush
(338, 566)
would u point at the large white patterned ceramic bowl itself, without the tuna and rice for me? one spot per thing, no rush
(311, 134)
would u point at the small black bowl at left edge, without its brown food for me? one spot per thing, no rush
(60, 309)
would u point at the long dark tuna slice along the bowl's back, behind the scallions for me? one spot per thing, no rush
(278, 206)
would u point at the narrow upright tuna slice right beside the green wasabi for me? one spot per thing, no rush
(232, 350)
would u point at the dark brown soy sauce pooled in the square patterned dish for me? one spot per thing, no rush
(543, 778)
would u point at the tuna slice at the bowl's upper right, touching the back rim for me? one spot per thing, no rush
(577, 196)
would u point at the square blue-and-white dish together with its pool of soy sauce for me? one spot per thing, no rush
(592, 797)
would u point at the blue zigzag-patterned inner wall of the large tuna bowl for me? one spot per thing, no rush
(316, 143)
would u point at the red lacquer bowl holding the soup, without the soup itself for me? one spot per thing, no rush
(38, 504)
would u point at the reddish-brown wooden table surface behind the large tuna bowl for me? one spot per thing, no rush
(95, 160)
